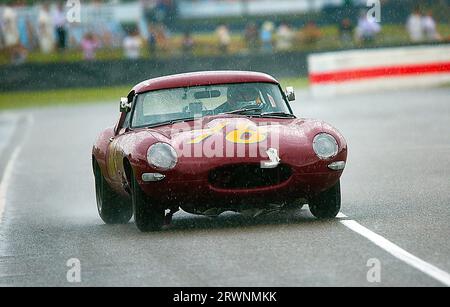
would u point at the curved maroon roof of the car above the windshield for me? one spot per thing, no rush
(202, 78)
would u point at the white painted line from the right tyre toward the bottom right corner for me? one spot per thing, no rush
(397, 251)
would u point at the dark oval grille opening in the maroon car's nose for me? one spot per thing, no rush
(248, 176)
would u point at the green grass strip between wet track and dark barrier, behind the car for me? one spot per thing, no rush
(18, 100)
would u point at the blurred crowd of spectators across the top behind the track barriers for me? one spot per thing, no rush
(45, 28)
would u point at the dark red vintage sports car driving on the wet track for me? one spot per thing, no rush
(210, 142)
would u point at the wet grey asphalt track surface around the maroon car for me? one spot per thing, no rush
(397, 184)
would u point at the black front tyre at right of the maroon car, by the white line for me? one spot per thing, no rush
(327, 204)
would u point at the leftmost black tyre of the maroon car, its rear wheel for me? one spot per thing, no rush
(112, 207)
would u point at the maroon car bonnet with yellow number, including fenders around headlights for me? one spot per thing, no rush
(214, 141)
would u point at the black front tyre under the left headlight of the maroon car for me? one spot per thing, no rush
(147, 216)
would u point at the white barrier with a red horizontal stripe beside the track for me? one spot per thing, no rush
(374, 70)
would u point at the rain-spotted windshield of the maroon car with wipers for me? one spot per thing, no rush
(186, 103)
